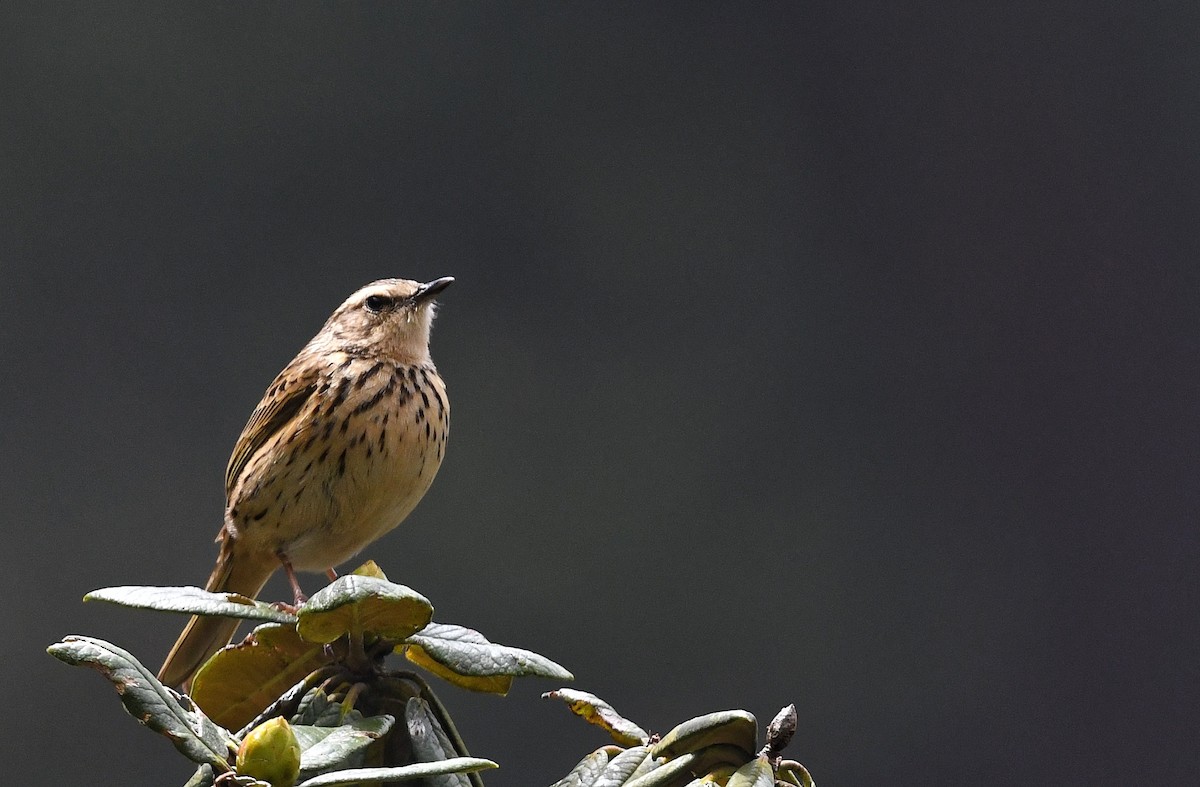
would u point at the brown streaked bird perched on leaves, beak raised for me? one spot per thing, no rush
(341, 449)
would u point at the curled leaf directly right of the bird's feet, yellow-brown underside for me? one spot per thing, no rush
(356, 604)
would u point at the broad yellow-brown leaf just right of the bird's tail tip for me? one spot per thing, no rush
(241, 681)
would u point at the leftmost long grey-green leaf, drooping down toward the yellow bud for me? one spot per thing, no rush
(152, 704)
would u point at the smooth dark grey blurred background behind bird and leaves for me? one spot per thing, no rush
(835, 353)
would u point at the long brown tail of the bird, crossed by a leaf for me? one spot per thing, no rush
(205, 635)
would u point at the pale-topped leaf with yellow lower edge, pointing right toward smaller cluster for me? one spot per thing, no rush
(465, 653)
